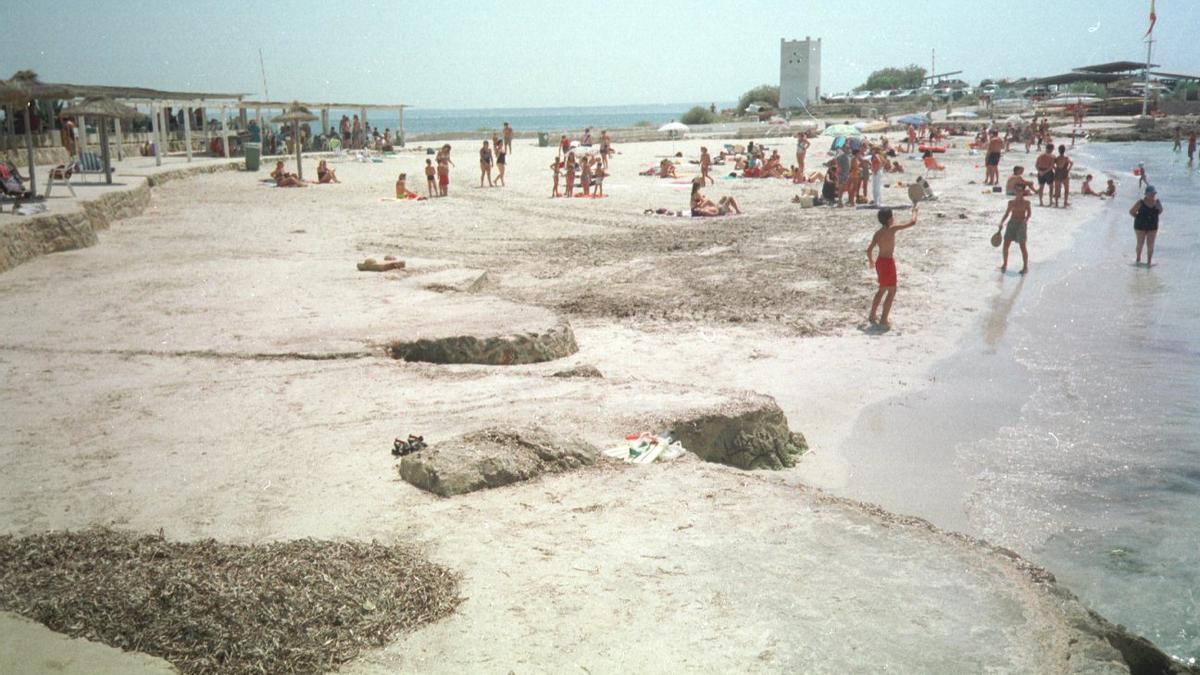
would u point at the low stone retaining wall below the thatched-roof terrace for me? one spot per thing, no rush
(38, 236)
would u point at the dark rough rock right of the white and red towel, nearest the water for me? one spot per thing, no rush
(749, 433)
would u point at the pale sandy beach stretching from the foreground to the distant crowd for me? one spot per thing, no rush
(225, 374)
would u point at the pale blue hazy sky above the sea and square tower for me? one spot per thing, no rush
(533, 53)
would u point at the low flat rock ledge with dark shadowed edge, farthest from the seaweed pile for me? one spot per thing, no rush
(500, 350)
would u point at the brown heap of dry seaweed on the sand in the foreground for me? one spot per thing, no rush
(207, 607)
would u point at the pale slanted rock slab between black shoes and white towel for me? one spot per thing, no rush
(493, 458)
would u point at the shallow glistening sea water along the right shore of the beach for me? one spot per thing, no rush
(1069, 426)
